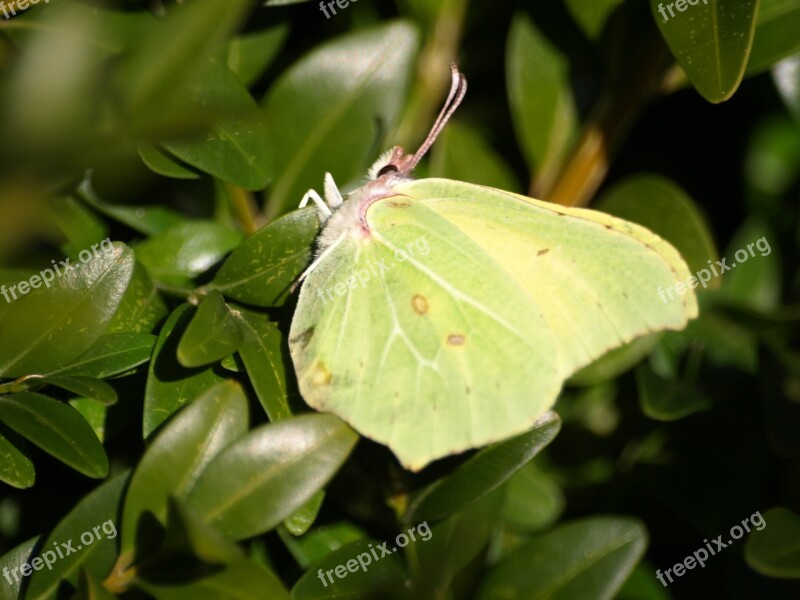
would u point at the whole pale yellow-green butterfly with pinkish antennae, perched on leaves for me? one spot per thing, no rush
(440, 316)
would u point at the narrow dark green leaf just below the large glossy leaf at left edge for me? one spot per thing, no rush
(110, 355)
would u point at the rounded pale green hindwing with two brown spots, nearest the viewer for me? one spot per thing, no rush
(437, 351)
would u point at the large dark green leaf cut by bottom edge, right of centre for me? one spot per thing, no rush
(587, 559)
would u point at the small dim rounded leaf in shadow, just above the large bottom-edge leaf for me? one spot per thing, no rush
(533, 500)
